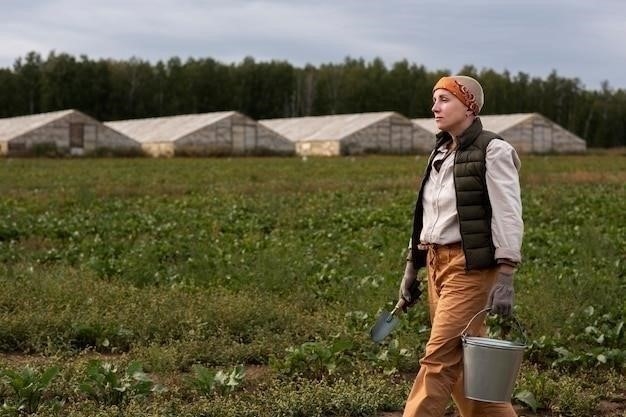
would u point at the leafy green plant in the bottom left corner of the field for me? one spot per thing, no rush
(28, 386)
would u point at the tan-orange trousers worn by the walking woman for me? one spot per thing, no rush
(454, 297)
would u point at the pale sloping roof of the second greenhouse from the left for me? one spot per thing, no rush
(166, 129)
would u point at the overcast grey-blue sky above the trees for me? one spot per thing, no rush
(577, 38)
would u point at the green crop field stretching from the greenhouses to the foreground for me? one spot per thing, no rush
(246, 286)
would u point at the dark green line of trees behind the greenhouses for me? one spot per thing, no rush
(124, 89)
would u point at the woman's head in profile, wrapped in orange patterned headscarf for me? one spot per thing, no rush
(457, 100)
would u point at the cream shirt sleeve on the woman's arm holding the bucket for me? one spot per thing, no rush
(507, 227)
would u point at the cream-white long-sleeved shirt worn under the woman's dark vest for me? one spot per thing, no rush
(440, 220)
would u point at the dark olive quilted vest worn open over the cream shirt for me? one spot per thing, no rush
(472, 200)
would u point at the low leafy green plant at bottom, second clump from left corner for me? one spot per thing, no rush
(106, 384)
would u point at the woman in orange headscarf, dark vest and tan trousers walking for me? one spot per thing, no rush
(467, 232)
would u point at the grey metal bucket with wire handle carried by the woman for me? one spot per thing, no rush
(490, 366)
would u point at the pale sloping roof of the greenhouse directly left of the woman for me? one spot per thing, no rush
(320, 128)
